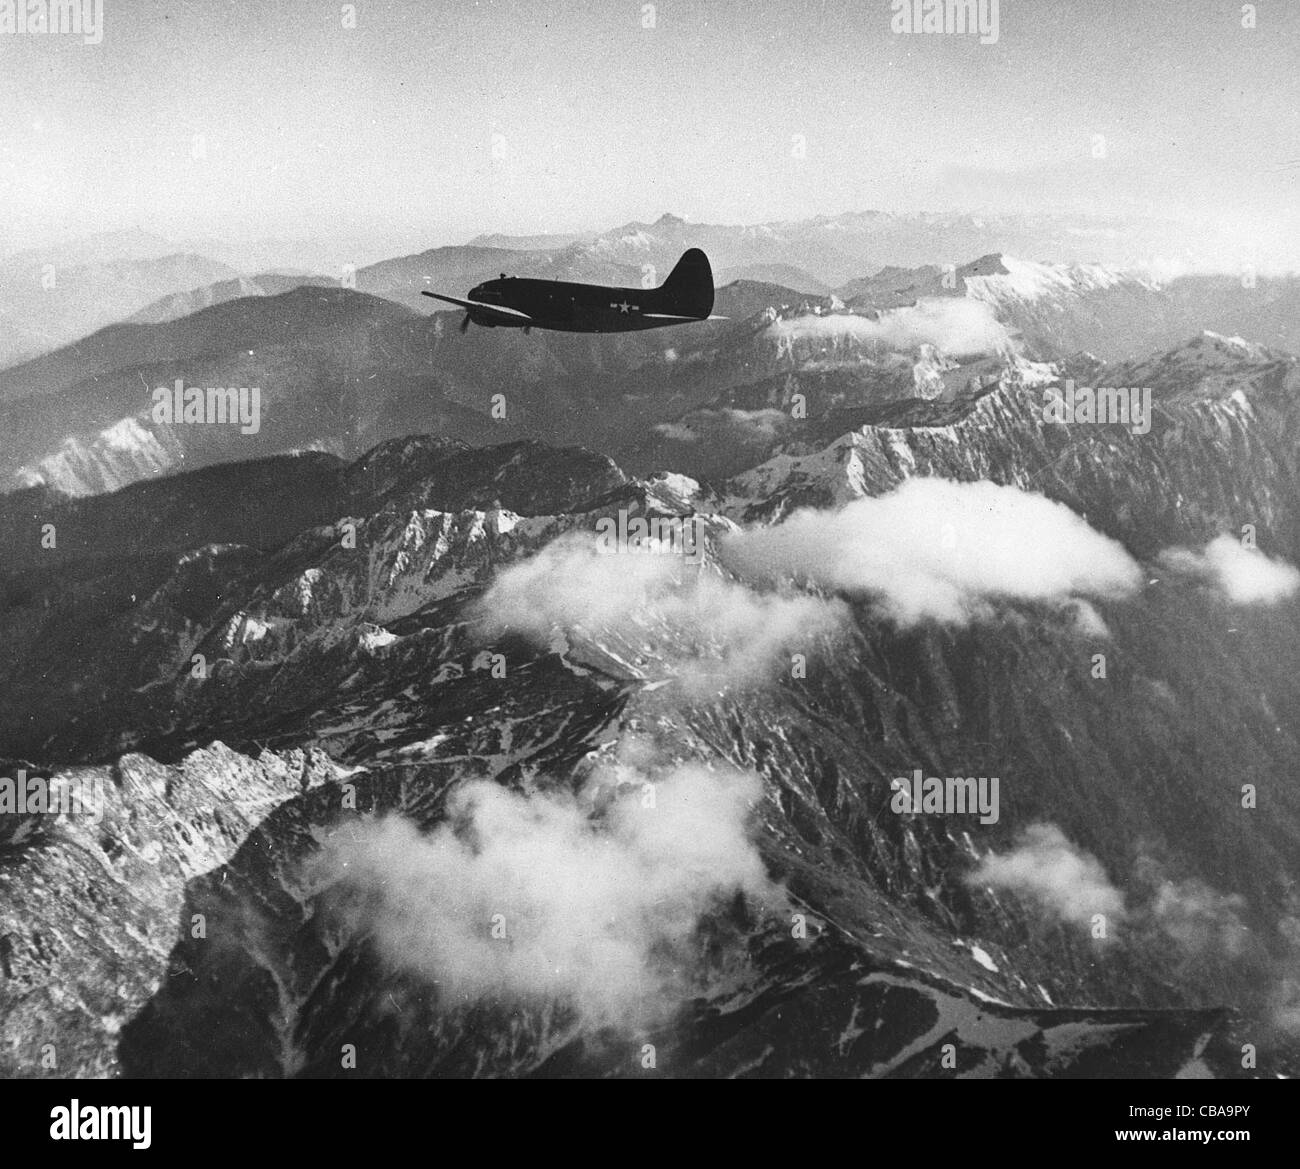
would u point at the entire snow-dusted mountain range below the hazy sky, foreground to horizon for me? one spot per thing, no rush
(397, 752)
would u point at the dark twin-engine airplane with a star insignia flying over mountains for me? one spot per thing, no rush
(522, 304)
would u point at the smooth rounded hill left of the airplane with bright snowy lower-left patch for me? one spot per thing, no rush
(335, 370)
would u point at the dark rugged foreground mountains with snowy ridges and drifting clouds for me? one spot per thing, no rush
(259, 664)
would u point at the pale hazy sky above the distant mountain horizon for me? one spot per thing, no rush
(309, 128)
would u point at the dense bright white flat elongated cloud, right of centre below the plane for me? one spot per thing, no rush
(937, 549)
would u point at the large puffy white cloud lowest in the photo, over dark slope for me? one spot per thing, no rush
(599, 898)
